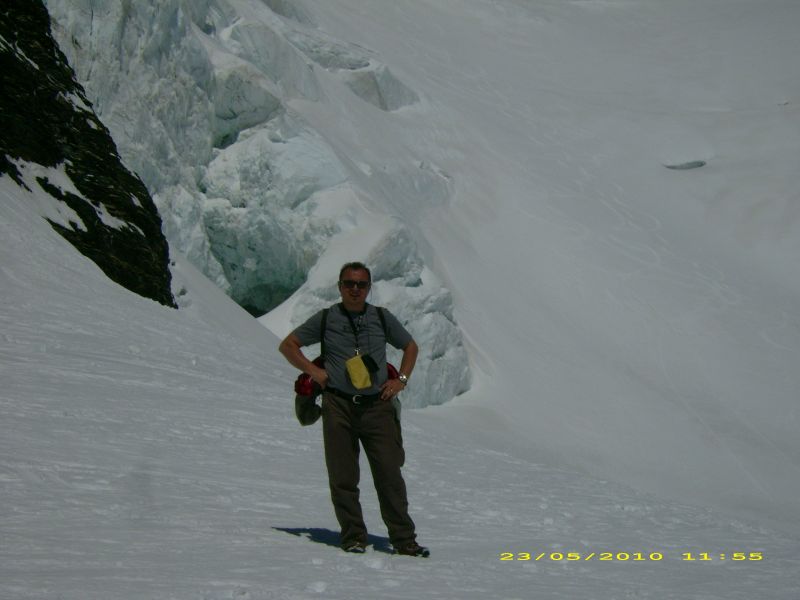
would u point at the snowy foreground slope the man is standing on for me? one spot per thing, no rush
(148, 453)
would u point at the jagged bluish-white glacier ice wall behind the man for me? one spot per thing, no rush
(198, 97)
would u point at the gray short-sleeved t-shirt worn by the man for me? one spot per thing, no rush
(341, 344)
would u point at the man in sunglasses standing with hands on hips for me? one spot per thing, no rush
(364, 414)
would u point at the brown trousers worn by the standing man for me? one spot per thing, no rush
(344, 424)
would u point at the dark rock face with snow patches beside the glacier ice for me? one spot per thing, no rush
(46, 119)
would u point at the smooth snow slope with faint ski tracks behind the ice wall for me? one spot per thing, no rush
(634, 321)
